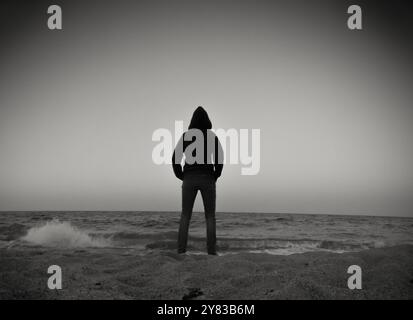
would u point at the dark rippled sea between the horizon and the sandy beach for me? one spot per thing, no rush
(146, 232)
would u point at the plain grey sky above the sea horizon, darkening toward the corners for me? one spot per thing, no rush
(78, 107)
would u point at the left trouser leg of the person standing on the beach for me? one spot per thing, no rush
(188, 198)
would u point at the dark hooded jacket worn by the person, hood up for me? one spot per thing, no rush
(212, 162)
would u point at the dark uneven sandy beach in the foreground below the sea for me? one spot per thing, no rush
(387, 273)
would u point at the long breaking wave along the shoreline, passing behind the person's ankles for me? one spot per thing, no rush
(55, 233)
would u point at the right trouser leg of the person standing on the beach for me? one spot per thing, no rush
(208, 192)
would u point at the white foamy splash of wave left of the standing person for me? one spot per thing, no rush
(62, 234)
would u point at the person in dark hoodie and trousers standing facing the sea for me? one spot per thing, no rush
(203, 166)
